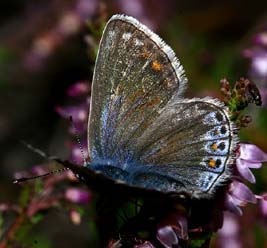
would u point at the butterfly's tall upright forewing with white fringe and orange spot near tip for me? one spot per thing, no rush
(135, 75)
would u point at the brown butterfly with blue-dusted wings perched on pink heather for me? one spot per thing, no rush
(142, 131)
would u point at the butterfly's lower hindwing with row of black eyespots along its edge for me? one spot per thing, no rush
(189, 148)
